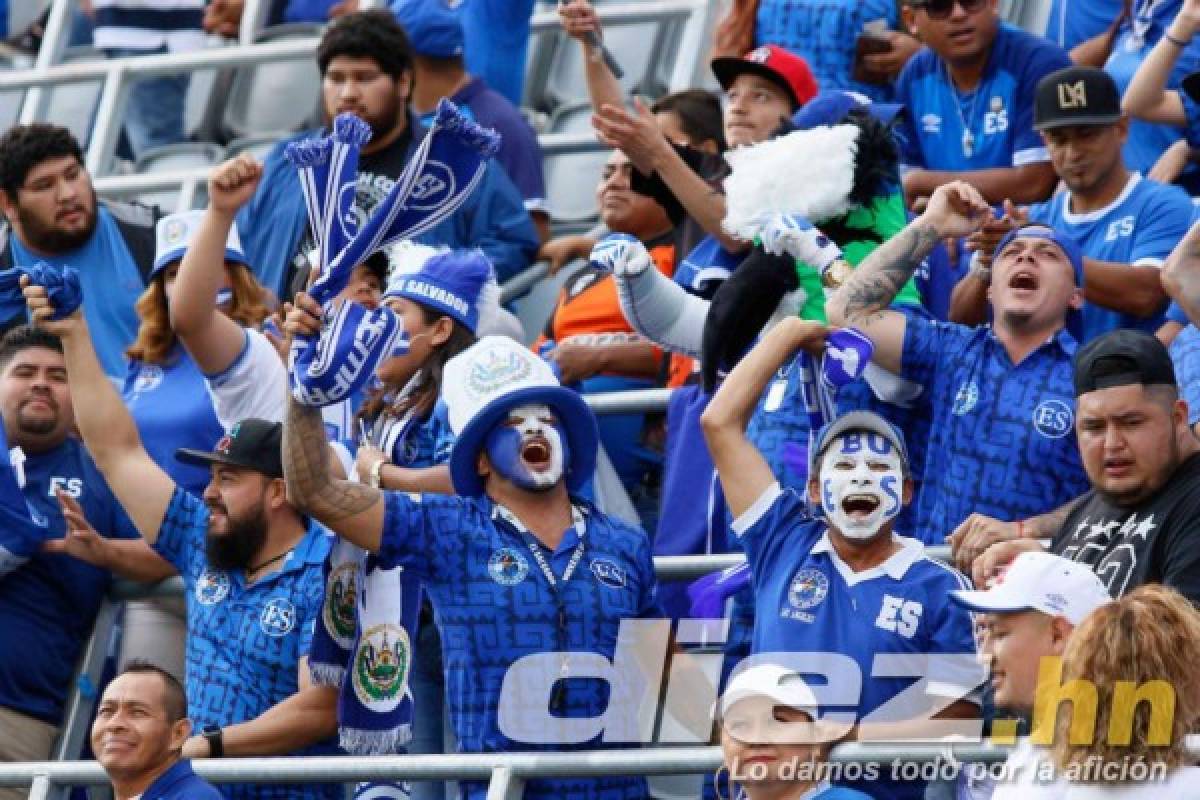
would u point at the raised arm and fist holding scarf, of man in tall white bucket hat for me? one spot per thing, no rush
(351, 510)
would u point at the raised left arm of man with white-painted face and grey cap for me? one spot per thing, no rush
(742, 470)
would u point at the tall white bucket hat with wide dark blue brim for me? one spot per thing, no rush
(489, 380)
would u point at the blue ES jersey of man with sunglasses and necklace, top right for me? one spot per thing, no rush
(988, 128)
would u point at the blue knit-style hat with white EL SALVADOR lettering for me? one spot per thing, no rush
(449, 284)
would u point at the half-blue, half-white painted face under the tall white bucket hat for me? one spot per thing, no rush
(530, 448)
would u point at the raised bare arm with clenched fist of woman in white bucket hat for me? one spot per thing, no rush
(213, 340)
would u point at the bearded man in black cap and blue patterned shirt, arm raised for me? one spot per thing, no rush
(250, 562)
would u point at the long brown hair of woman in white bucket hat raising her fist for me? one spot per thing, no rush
(155, 339)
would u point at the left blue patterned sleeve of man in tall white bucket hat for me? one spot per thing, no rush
(422, 533)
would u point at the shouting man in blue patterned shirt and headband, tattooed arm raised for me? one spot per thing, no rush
(1000, 398)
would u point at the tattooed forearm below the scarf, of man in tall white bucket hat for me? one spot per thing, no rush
(307, 470)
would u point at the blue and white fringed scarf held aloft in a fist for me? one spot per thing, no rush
(443, 172)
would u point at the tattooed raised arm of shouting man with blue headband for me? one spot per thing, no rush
(955, 210)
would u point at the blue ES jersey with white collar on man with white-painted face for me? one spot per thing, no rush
(811, 603)
